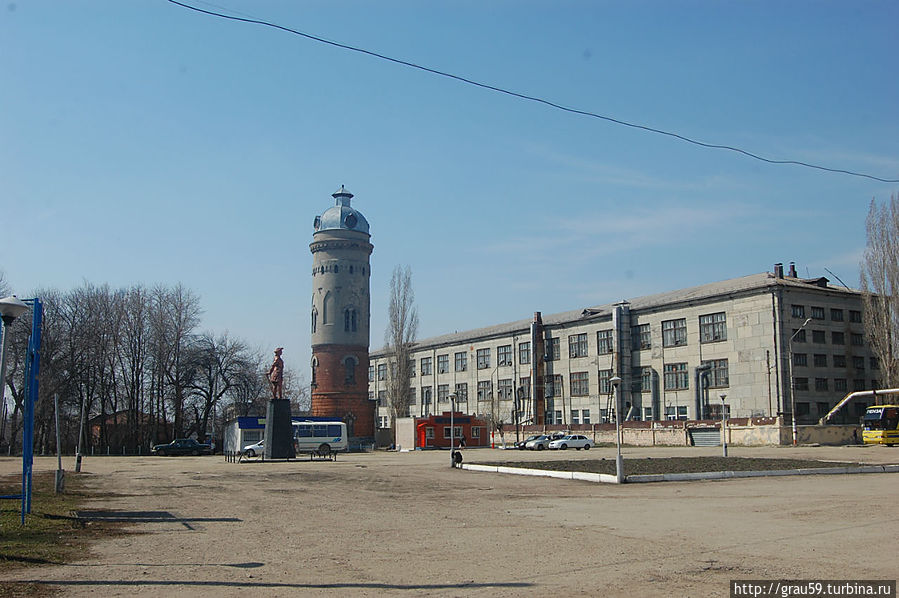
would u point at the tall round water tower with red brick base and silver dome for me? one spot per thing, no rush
(341, 249)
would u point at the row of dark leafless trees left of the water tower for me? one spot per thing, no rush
(134, 365)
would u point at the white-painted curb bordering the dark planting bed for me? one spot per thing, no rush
(603, 478)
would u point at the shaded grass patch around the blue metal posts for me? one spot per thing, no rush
(52, 535)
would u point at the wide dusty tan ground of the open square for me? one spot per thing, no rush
(406, 524)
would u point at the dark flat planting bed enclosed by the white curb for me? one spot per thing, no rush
(674, 465)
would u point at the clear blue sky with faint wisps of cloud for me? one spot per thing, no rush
(141, 142)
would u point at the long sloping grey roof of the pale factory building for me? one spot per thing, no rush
(734, 286)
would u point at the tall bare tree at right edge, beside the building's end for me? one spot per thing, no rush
(880, 287)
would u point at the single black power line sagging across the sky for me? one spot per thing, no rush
(538, 100)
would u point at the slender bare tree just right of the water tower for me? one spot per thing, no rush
(402, 327)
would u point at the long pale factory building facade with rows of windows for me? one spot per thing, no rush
(687, 354)
